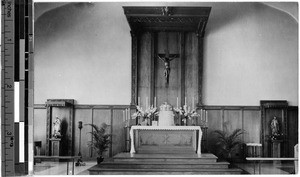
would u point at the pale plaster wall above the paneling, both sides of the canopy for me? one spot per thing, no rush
(83, 52)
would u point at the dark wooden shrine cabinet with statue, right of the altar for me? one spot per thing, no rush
(274, 128)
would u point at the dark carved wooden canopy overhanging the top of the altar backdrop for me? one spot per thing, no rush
(167, 18)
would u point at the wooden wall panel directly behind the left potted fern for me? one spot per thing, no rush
(102, 116)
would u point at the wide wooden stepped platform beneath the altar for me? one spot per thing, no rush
(163, 164)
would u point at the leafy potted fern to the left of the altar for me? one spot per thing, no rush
(100, 140)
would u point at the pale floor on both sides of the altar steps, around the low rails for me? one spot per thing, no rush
(60, 168)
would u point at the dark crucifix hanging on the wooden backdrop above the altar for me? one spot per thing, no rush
(167, 58)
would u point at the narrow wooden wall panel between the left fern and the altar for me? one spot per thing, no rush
(118, 133)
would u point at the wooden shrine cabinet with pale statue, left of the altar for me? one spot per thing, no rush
(59, 131)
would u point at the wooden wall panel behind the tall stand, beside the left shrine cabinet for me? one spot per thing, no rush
(84, 115)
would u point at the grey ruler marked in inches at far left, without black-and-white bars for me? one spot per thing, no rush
(7, 89)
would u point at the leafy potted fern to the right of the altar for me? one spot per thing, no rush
(227, 143)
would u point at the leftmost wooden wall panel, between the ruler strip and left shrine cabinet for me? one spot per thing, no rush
(39, 128)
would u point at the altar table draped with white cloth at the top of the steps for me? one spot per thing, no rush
(164, 139)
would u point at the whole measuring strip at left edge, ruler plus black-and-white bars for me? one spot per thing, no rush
(17, 87)
